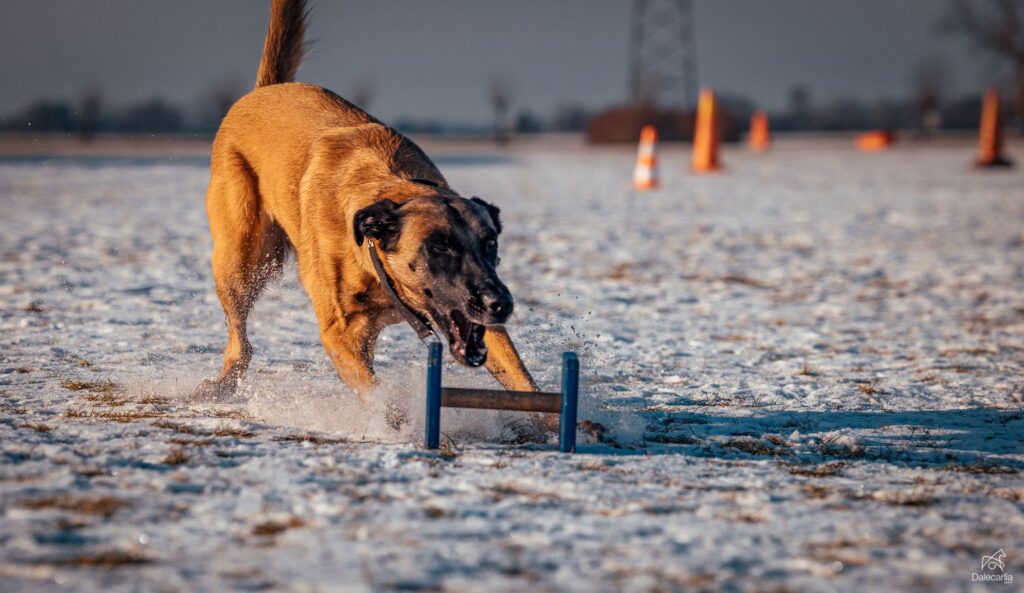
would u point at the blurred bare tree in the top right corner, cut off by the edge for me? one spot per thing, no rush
(996, 27)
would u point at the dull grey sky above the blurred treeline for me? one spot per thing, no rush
(434, 59)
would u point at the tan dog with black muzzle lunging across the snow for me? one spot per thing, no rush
(296, 167)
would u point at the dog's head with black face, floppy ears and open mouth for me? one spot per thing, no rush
(442, 253)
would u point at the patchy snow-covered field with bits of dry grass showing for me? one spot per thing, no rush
(810, 367)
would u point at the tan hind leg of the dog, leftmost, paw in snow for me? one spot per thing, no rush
(249, 250)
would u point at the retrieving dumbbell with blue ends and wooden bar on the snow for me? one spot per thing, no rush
(564, 404)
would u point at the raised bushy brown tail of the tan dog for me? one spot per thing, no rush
(285, 43)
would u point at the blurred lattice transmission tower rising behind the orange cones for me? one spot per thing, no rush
(663, 56)
